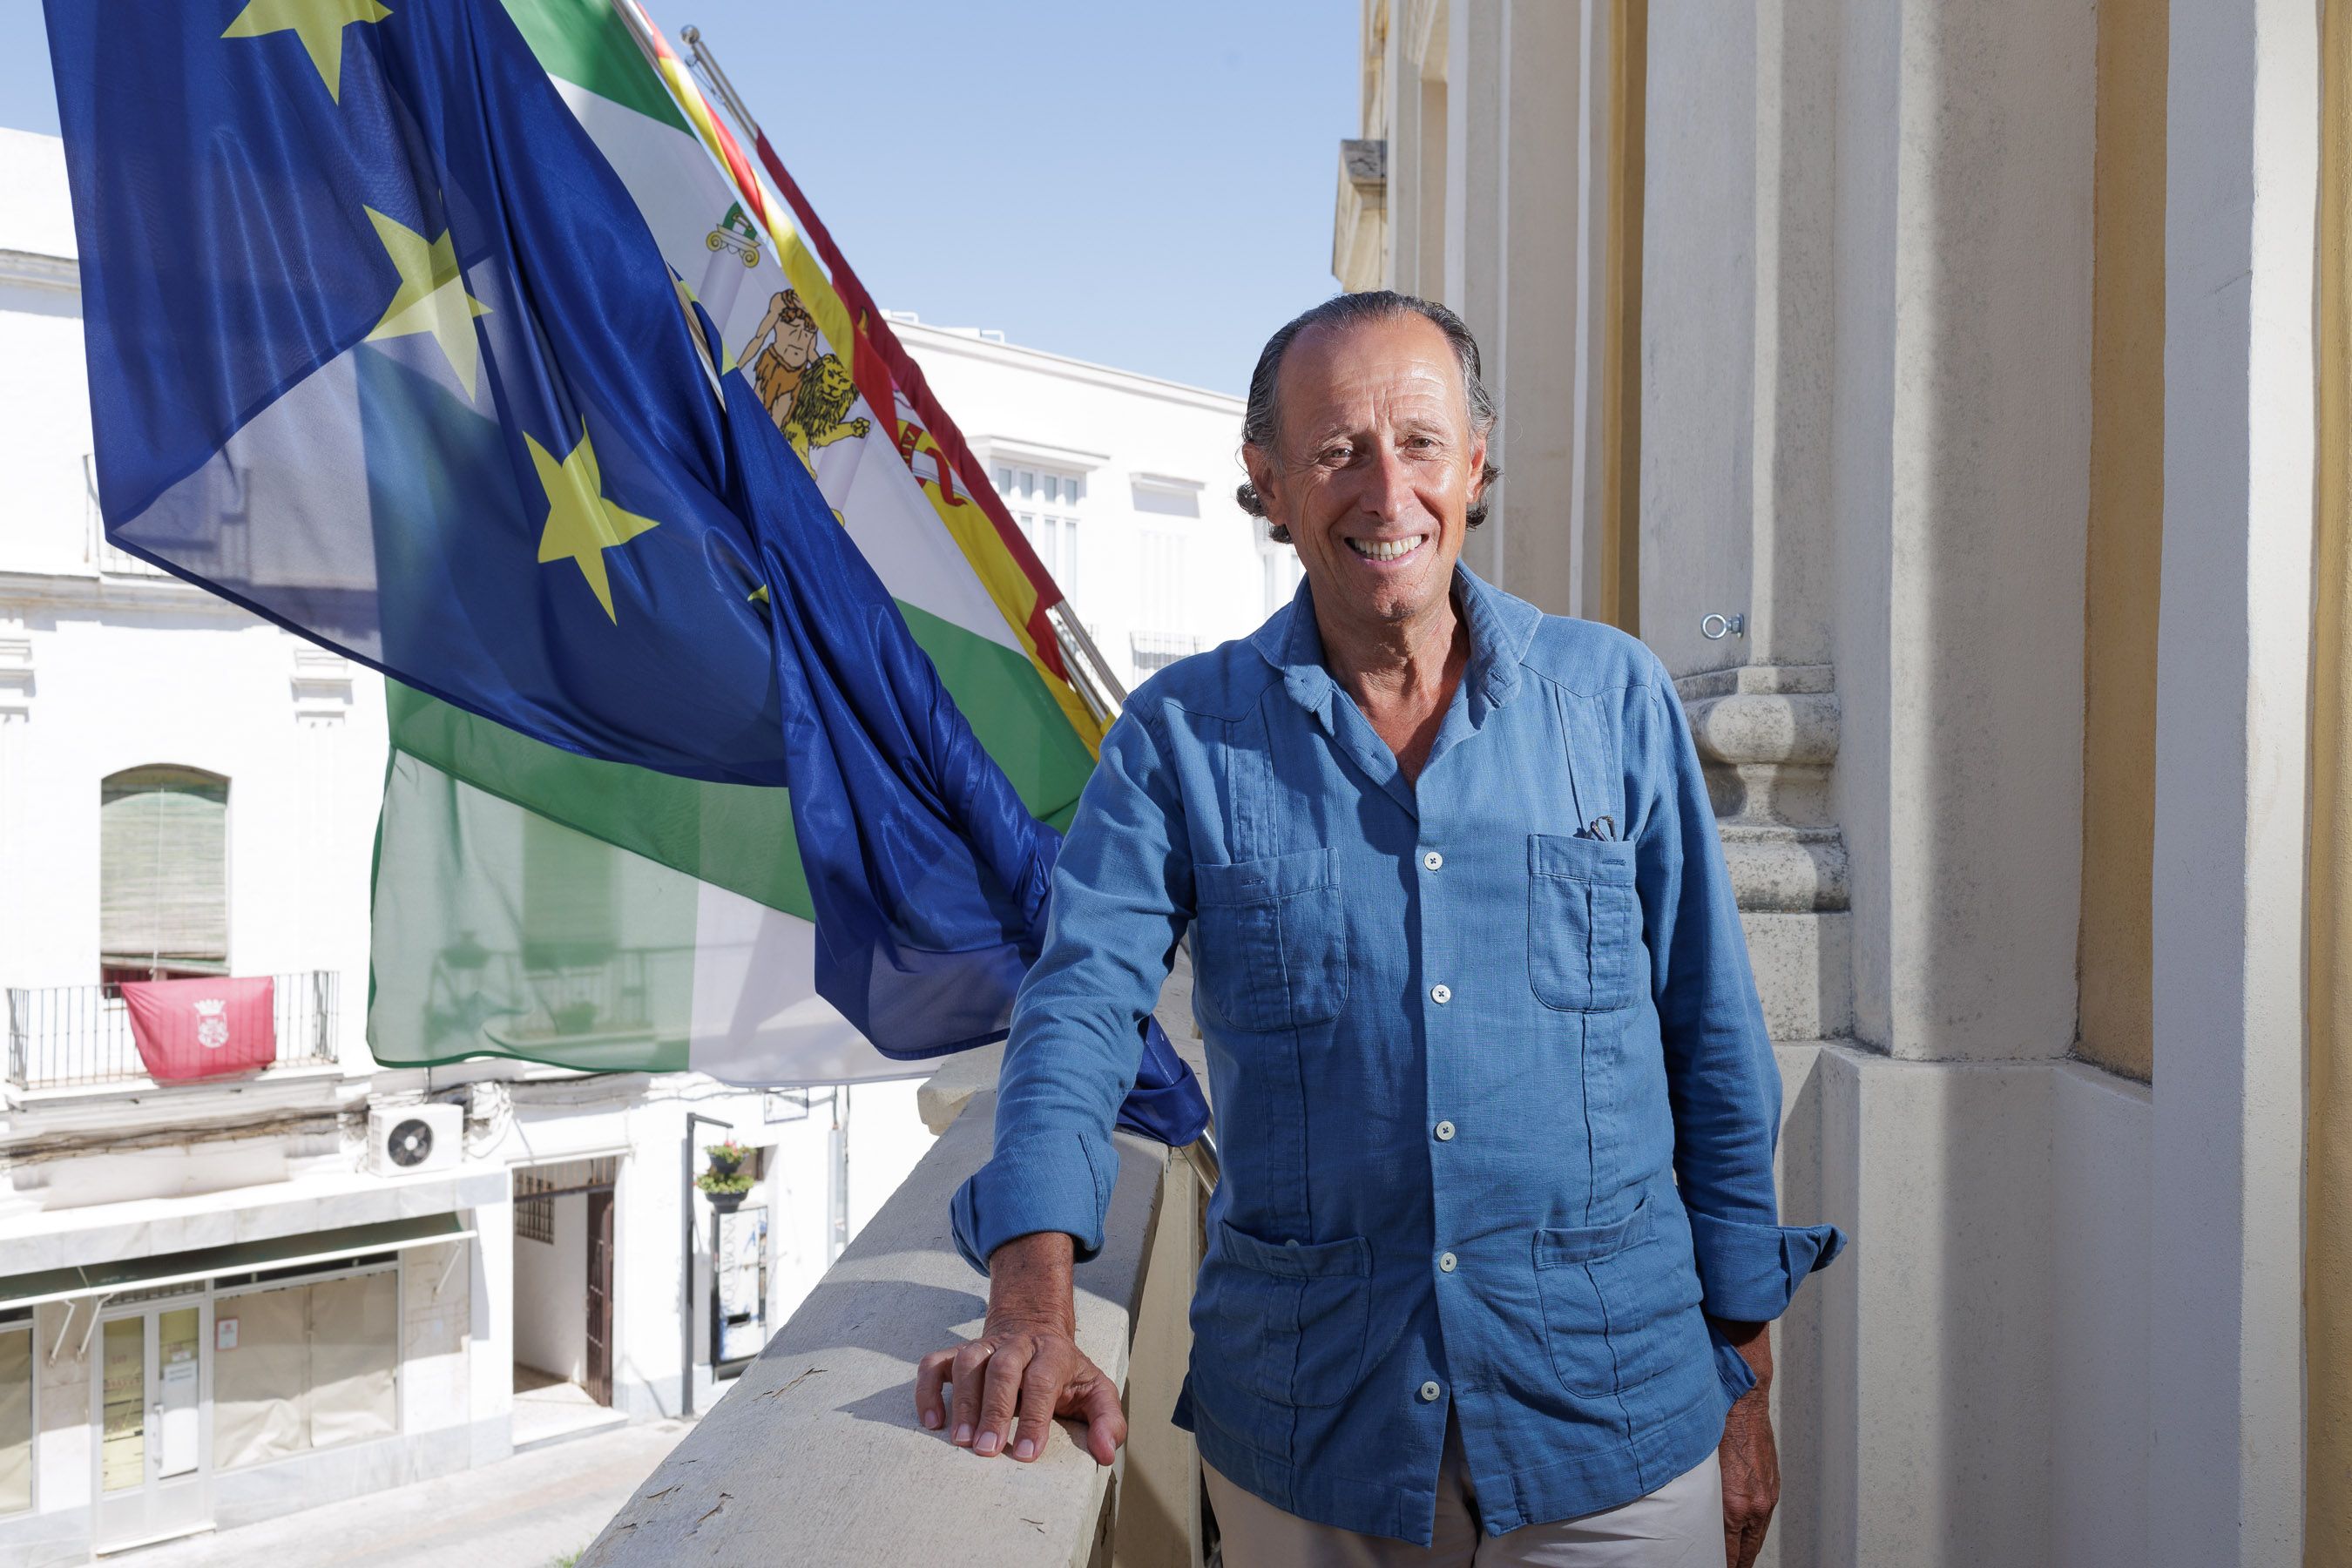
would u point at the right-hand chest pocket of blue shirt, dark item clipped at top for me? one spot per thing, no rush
(1584, 923)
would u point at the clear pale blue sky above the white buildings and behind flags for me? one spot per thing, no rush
(1135, 185)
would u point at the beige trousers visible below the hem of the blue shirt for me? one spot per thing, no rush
(1676, 1527)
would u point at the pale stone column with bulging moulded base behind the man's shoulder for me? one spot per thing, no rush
(1737, 530)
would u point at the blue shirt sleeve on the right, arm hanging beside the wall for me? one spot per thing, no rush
(1723, 1080)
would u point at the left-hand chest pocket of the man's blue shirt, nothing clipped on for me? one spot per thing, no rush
(1271, 942)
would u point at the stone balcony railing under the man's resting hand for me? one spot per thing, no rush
(815, 1456)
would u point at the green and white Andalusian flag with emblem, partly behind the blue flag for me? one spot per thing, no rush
(582, 913)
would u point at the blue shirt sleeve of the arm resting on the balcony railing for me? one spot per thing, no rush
(1123, 892)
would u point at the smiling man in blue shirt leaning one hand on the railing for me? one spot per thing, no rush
(1497, 1240)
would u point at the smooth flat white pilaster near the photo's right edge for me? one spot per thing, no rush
(2226, 1304)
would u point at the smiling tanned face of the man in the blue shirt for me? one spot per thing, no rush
(1375, 467)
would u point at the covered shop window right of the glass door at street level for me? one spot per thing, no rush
(307, 1367)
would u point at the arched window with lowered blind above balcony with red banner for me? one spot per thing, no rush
(163, 871)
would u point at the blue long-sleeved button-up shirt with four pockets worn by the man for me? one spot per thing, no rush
(1495, 1094)
